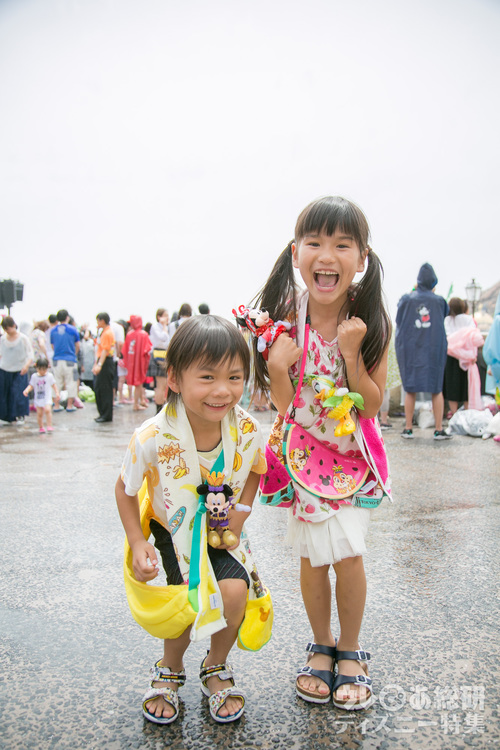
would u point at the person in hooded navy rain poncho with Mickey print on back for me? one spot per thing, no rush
(421, 347)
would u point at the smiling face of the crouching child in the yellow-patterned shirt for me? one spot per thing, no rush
(209, 392)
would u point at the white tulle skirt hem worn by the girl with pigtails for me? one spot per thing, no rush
(328, 542)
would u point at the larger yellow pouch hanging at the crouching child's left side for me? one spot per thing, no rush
(164, 611)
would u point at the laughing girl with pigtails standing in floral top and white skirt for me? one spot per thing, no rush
(327, 377)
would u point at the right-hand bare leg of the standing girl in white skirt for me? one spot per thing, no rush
(351, 596)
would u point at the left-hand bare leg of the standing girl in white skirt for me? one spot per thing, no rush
(317, 595)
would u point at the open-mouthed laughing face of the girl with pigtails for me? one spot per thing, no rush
(328, 264)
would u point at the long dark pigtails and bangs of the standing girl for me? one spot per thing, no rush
(365, 299)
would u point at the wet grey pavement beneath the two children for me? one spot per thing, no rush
(74, 664)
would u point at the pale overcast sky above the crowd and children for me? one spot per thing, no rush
(154, 152)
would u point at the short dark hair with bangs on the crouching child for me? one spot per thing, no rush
(209, 340)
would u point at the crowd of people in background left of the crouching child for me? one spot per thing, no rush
(48, 367)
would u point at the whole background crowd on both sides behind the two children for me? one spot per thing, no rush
(436, 348)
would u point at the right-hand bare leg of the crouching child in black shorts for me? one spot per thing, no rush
(234, 596)
